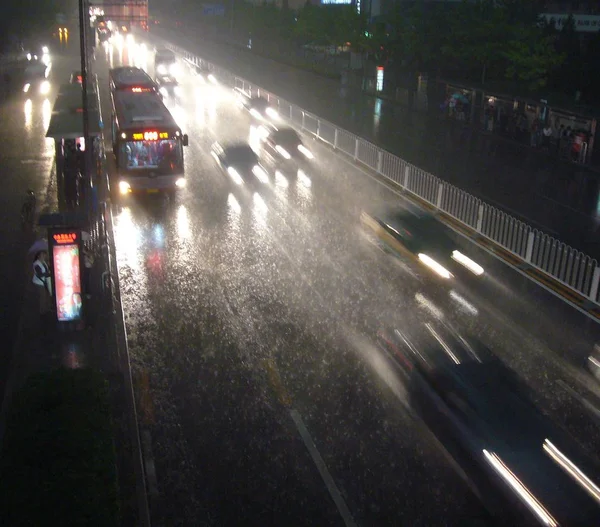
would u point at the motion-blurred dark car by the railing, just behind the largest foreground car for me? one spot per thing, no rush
(419, 235)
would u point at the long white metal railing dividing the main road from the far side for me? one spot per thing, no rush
(572, 268)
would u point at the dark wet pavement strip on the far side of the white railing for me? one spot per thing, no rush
(554, 196)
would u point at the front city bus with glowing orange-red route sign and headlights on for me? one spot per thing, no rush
(147, 143)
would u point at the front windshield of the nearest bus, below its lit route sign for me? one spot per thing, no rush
(165, 155)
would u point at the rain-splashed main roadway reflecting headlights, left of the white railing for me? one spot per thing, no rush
(254, 315)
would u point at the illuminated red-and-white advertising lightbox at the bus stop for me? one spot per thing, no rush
(67, 275)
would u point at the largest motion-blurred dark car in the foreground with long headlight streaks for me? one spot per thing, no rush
(526, 469)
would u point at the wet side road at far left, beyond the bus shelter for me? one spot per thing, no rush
(26, 162)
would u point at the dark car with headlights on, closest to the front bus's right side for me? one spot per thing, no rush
(240, 162)
